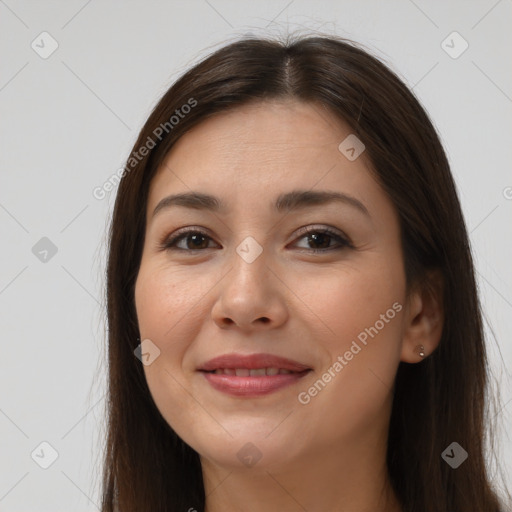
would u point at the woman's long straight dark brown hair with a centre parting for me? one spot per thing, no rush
(438, 401)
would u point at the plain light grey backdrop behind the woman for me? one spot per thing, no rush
(68, 123)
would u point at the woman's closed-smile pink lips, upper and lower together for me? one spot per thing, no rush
(252, 386)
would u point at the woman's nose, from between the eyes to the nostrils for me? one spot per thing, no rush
(251, 296)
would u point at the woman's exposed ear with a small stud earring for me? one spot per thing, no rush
(424, 318)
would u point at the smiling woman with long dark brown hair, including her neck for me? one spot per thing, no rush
(290, 265)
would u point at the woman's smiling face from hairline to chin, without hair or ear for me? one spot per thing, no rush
(250, 282)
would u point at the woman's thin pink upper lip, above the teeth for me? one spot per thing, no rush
(252, 362)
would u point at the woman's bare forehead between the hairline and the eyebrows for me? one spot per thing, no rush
(261, 150)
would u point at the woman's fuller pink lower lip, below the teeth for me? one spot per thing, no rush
(252, 386)
